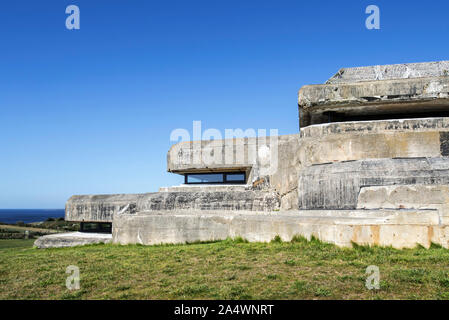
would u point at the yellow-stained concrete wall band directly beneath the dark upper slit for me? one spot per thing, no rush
(410, 138)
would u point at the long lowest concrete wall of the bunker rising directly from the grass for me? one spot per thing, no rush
(380, 227)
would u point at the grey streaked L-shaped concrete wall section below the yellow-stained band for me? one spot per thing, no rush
(337, 185)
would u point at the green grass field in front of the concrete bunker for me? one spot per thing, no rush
(230, 269)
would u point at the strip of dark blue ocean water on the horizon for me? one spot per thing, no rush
(29, 215)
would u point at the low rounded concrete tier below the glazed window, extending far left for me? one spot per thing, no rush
(103, 208)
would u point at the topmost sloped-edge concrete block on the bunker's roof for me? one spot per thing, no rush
(391, 72)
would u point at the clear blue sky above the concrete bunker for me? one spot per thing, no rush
(91, 110)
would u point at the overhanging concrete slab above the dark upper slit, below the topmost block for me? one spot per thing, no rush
(381, 97)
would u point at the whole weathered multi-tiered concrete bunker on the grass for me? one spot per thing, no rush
(369, 165)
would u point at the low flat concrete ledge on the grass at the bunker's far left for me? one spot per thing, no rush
(71, 239)
